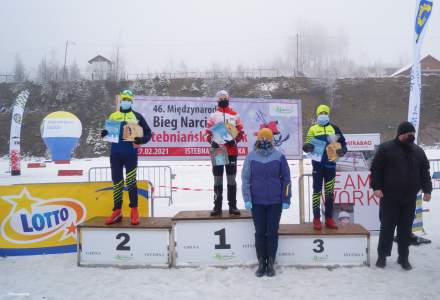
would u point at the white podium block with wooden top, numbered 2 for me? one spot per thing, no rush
(123, 244)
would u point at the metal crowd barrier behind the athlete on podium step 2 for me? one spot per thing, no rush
(160, 177)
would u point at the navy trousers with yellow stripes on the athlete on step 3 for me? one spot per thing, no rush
(327, 175)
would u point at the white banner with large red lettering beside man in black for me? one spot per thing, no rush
(353, 188)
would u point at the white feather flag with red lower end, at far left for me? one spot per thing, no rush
(14, 141)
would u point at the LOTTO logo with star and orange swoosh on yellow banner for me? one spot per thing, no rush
(33, 220)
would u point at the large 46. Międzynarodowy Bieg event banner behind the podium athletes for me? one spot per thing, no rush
(179, 125)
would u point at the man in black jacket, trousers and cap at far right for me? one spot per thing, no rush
(400, 169)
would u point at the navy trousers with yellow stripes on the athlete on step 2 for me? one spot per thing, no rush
(117, 163)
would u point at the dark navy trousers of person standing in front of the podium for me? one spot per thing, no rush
(266, 221)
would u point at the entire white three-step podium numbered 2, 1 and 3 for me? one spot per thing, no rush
(194, 238)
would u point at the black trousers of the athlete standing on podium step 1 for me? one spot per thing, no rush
(231, 173)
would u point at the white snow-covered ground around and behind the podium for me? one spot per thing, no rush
(58, 277)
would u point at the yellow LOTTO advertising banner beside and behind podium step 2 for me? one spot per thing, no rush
(43, 218)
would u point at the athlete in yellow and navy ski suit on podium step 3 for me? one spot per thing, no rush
(325, 169)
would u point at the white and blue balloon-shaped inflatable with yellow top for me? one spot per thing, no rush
(61, 131)
